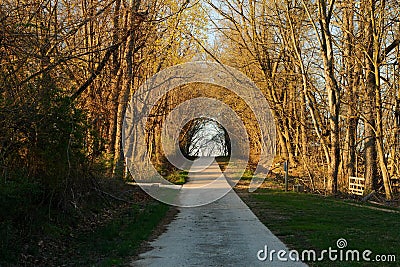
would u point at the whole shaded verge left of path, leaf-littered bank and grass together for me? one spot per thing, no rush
(102, 231)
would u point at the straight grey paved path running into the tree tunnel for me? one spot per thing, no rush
(223, 233)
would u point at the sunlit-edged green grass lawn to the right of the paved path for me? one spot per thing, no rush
(305, 221)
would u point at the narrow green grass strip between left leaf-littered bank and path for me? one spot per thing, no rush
(113, 243)
